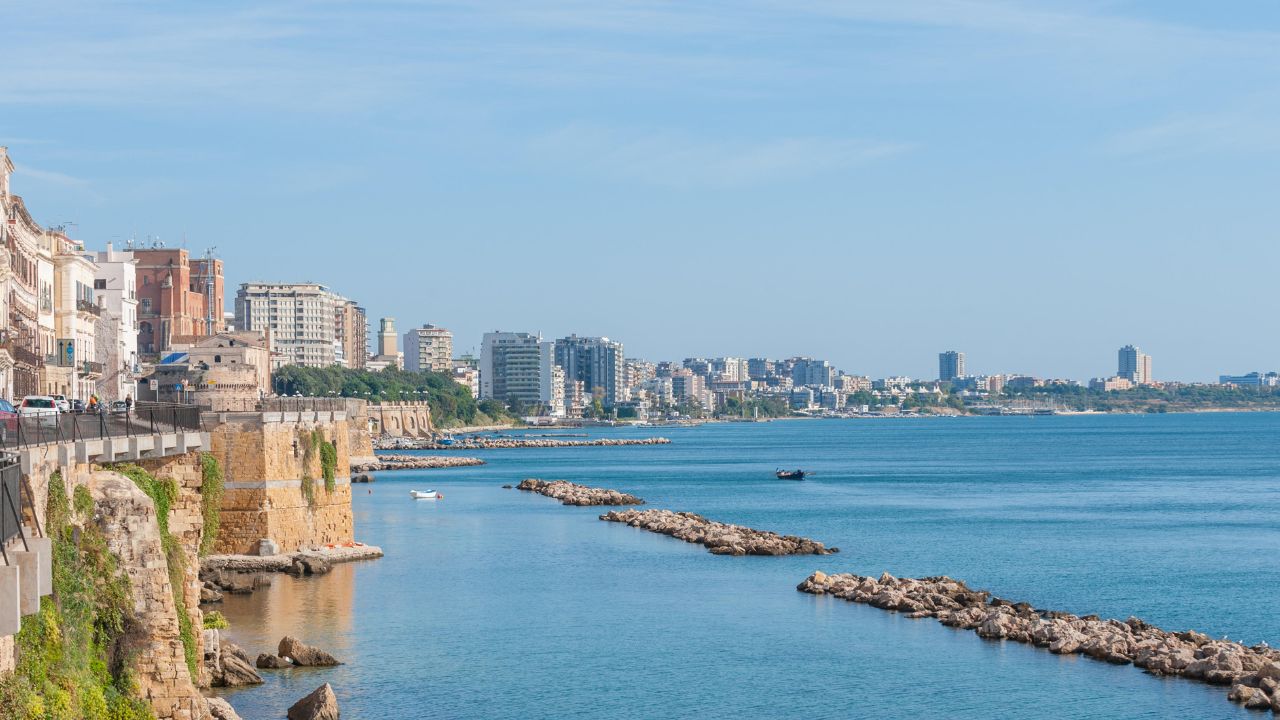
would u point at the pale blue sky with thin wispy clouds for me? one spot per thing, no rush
(1034, 183)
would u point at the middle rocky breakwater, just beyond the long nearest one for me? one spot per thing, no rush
(720, 539)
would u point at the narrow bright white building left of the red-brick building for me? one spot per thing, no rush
(116, 289)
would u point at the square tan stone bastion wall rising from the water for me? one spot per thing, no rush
(267, 461)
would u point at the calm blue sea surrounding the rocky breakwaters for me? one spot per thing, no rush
(501, 604)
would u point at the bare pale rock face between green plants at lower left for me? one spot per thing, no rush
(127, 518)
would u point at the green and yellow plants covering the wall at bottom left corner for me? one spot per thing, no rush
(72, 655)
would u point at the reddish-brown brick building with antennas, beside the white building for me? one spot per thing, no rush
(179, 295)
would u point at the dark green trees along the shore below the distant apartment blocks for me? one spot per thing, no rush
(451, 403)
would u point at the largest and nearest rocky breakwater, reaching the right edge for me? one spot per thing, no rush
(1252, 673)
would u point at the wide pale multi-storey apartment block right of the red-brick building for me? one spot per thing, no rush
(301, 322)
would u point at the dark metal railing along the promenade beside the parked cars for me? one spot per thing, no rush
(143, 420)
